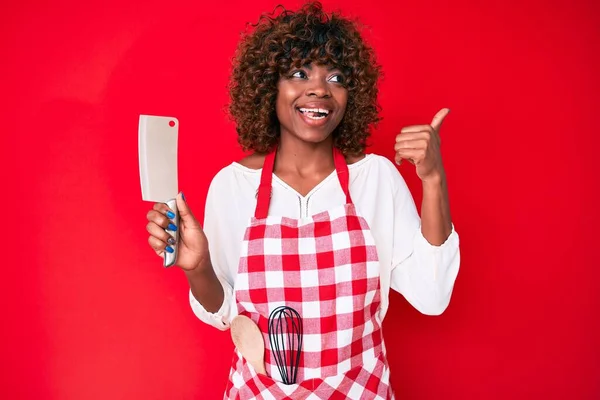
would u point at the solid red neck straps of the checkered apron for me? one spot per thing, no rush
(266, 179)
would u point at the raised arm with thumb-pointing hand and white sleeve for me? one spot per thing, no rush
(425, 273)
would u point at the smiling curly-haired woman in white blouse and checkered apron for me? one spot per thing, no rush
(308, 220)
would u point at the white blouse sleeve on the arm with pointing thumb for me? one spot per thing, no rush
(423, 273)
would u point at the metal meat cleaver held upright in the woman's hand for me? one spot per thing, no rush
(157, 148)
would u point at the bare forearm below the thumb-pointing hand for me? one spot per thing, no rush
(436, 223)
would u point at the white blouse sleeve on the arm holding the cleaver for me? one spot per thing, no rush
(216, 230)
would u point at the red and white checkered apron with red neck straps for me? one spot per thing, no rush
(326, 268)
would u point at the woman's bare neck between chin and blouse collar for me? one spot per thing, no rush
(296, 156)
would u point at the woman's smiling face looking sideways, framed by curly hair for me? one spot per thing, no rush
(311, 102)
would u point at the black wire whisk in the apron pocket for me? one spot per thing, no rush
(285, 337)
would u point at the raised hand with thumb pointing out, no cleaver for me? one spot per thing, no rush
(420, 144)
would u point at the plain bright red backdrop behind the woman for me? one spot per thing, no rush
(89, 313)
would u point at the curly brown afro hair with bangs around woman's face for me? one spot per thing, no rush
(285, 40)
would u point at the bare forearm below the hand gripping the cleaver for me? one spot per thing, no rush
(205, 286)
